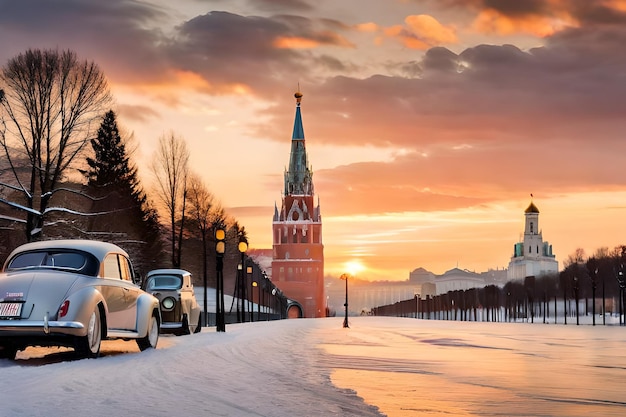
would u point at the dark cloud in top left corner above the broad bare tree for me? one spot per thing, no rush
(112, 32)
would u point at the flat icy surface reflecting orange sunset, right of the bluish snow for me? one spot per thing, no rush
(411, 367)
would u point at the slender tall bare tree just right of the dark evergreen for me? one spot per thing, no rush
(170, 166)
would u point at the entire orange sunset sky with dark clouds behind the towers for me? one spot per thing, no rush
(428, 123)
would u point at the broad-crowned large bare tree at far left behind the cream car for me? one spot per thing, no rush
(51, 104)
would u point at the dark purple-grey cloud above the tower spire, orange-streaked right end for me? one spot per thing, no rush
(232, 49)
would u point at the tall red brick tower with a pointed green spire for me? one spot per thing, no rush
(297, 249)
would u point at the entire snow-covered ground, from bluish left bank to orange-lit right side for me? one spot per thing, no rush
(315, 367)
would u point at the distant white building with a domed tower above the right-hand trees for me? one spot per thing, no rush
(532, 256)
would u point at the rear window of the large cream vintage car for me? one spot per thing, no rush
(59, 259)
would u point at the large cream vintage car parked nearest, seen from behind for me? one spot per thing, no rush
(73, 293)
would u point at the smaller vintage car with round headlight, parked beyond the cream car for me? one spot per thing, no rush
(180, 312)
